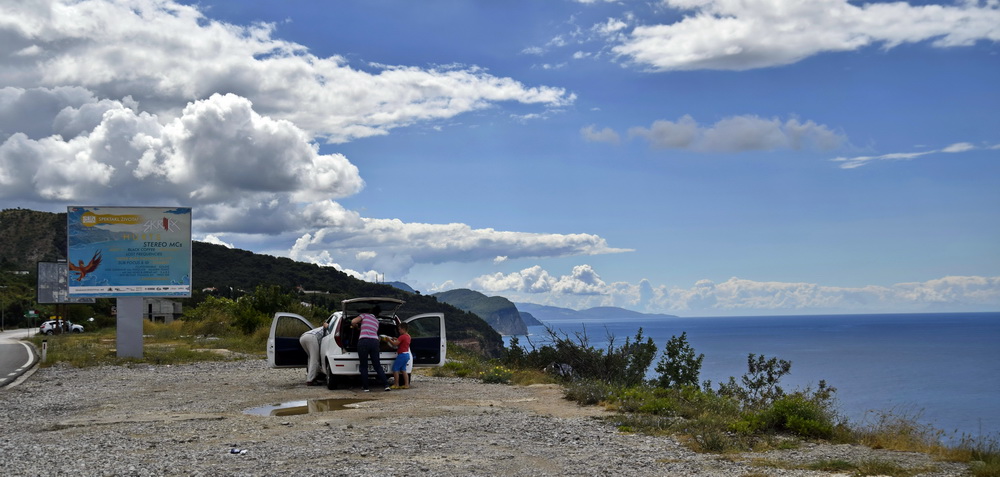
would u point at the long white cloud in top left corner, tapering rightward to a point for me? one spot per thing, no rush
(97, 44)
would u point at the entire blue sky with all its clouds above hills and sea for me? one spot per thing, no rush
(689, 157)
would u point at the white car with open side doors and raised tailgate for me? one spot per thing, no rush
(338, 348)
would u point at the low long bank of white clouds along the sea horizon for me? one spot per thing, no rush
(583, 288)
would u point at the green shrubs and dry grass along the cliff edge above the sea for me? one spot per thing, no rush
(752, 413)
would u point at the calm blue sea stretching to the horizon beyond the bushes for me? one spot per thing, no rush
(943, 369)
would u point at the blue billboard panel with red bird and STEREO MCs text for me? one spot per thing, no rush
(128, 251)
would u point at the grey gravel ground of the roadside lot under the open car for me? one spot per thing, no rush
(147, 420)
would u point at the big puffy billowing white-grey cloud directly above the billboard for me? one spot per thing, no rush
(244, 172)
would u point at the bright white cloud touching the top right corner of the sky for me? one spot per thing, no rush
(747, 34)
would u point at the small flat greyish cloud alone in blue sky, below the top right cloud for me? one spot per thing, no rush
(733, 134)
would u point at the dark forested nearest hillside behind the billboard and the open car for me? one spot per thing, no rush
(27, 237)
